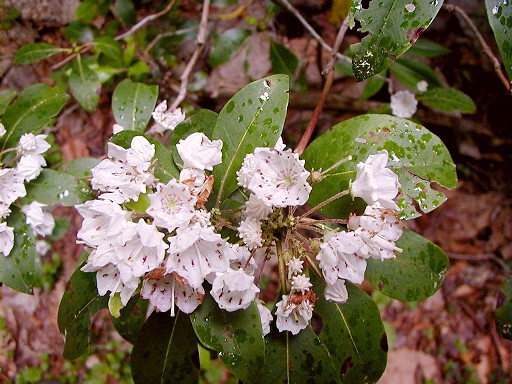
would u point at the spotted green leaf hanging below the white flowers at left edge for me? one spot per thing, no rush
(18, 269)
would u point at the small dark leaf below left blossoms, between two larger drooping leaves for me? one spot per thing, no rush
(133, 317)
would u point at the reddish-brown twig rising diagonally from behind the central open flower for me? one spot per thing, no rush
(329, 70)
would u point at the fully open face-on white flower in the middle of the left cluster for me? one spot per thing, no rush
(172, 205)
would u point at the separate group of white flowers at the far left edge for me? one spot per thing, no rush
(29, 162)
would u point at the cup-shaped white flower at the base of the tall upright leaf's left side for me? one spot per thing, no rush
(197, 151)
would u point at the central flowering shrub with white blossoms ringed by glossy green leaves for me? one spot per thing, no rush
(228, 241)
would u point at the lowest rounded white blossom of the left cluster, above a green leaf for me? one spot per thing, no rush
(234, 290)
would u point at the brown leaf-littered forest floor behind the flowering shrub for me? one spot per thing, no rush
(448, 338)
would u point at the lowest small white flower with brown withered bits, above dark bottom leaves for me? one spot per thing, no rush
(293, 317)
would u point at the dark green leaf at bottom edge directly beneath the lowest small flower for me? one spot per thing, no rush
(298, 359)
